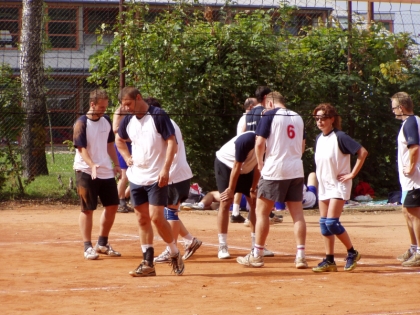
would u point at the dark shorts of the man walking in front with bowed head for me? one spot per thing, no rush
(153, 194)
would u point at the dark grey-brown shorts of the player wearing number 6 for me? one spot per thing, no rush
(281, 190)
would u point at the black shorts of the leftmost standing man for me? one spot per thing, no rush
(90, 189)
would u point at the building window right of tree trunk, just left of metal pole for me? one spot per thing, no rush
(94, 18)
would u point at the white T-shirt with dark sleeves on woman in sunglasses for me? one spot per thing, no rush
(332, 158)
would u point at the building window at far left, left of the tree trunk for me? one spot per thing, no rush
(9, 27)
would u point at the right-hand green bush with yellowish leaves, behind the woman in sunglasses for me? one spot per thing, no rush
(382, 63)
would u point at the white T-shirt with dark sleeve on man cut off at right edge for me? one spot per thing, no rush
(408, 135)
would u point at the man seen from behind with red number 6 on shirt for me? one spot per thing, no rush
(280, 138)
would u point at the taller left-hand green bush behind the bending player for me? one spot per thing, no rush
(201, 69)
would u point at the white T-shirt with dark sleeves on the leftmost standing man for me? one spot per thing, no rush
(94, 135)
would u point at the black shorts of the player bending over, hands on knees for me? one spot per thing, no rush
(222, 171)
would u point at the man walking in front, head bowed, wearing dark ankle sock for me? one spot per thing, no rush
(154, 146)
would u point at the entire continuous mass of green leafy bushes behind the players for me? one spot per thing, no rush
(202, 68)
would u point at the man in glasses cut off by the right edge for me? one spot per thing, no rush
(409, 171)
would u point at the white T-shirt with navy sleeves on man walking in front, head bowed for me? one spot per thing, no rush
(148, 137)
